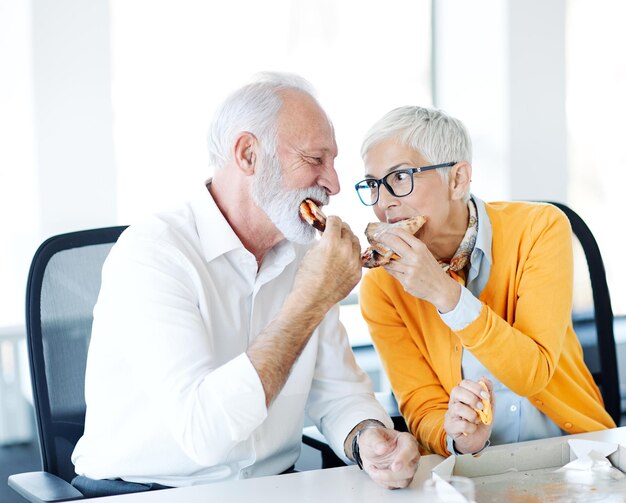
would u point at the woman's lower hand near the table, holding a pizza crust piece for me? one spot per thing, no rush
(461, 421)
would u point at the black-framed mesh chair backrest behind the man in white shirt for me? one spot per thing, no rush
(63, 286)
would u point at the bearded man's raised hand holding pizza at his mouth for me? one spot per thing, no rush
(332, 268)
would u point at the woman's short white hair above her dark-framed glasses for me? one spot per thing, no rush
(438, 137)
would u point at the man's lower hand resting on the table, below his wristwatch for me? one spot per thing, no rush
(389, 456)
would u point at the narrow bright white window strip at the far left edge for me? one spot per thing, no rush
(19, 204)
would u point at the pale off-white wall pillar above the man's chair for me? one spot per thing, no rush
(73, 115)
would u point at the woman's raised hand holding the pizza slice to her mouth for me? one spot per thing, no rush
(419, 272)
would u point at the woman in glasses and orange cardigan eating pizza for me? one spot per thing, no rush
(482, 292)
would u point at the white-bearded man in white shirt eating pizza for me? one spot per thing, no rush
(217, 324)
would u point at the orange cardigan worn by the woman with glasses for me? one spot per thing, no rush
(523, 334)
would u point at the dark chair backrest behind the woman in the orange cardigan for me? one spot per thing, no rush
(594, 326)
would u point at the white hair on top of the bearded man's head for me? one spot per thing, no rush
(253, 108)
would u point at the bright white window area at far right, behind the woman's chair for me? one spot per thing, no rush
(596, 107)
